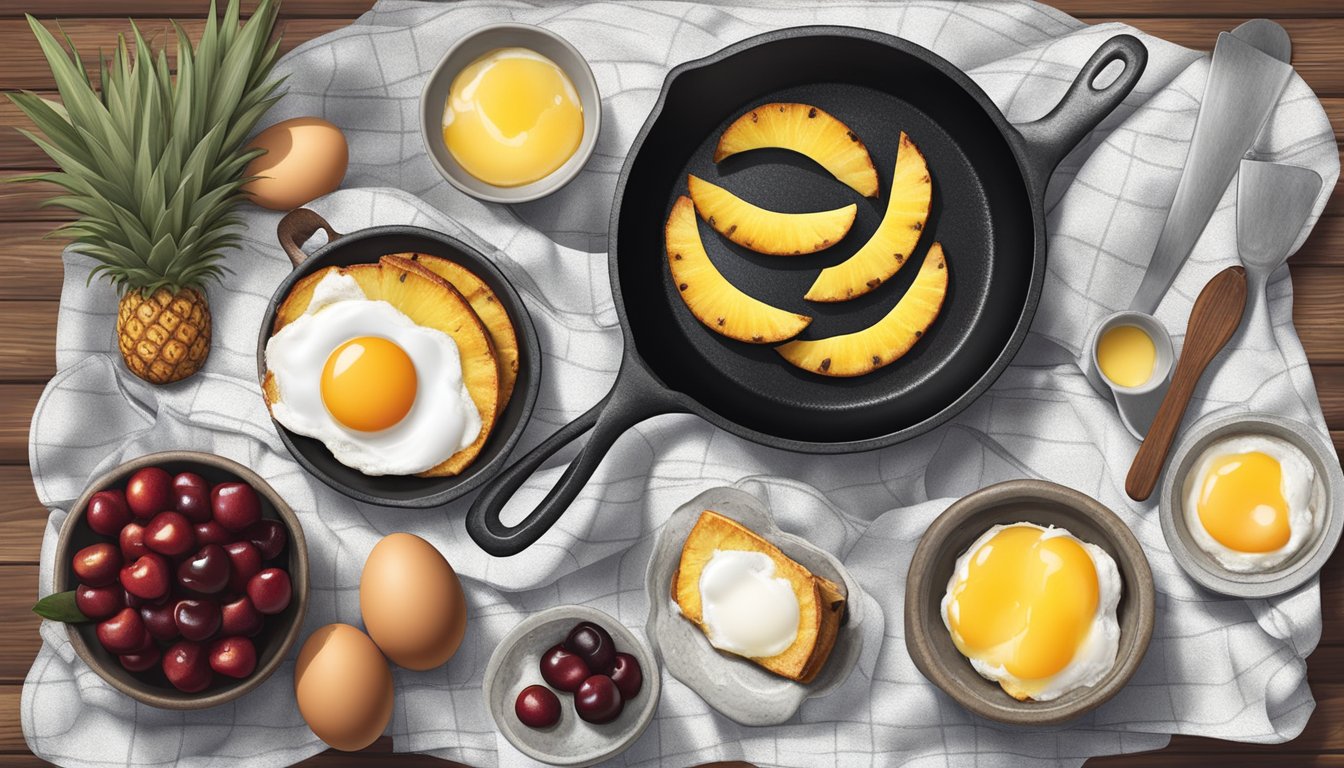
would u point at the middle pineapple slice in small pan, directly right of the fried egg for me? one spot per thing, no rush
(433, 303)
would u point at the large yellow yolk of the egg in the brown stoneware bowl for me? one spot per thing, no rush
(1026, 603)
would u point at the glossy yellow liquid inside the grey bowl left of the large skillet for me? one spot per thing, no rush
(513, 118)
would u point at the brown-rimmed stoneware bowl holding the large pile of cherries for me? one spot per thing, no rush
(279, 633)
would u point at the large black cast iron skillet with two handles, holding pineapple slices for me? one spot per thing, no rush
(989, 185)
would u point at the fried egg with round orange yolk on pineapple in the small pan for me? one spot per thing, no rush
(384, 395)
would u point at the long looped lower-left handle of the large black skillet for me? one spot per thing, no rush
(635, 397)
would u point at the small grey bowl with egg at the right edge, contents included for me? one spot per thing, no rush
(1253, 505)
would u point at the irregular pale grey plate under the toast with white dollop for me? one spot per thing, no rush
(734, 687)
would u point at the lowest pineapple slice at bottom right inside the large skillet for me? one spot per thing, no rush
(886, 341)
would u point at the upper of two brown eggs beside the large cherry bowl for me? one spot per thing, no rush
(412, 602)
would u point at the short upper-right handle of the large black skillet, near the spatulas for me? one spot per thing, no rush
(1084, 106)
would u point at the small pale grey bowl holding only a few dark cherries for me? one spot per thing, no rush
(517, 664)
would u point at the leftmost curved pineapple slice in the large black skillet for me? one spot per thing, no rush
(716, 302)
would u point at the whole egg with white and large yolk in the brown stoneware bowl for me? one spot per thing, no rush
(1034, 610)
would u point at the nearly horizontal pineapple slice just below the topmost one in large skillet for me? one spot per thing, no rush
(769, 232)
